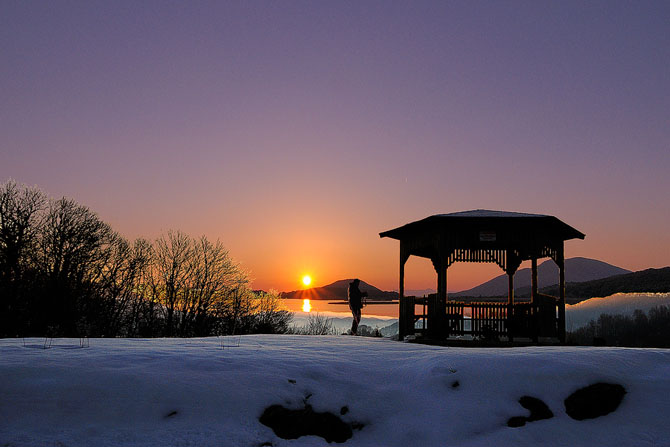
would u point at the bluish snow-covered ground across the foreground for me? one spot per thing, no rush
(193, 392)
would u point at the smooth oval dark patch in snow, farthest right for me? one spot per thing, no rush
(594, 401)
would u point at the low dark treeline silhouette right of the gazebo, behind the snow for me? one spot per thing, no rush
(650, 330)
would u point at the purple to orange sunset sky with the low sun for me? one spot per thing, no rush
(295, 132)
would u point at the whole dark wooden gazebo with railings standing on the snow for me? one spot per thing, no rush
(501, 237)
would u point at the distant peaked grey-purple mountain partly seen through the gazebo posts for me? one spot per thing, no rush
(576, 270)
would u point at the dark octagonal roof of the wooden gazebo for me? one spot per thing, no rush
(527, 234)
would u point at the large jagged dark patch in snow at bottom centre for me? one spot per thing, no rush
(292, 424)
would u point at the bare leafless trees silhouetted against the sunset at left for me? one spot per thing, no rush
(65, 272)
